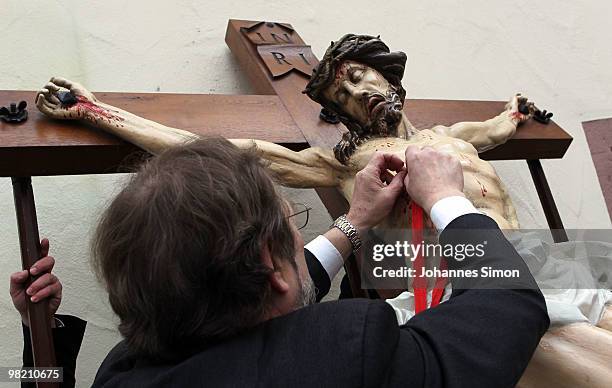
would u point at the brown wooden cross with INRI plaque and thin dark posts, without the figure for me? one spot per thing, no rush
(278, 63)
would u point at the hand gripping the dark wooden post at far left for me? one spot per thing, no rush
(45, 286)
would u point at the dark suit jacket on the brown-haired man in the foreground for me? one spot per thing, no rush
(478, 338)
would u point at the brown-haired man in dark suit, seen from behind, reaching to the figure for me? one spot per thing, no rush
(209, 279)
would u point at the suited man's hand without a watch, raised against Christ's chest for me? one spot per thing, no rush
(431, 176)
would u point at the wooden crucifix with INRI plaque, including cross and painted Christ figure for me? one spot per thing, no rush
(279, 65)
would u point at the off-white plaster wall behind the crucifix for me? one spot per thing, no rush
(555, 52)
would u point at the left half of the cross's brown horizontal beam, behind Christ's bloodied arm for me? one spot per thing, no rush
(42, 146)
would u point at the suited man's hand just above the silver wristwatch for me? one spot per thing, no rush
(376, 190)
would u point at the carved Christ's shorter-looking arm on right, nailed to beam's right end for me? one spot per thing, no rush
(485, 135)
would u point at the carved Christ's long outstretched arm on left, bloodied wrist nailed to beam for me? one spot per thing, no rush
(312, 167)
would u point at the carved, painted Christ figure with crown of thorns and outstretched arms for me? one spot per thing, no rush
(359, 81)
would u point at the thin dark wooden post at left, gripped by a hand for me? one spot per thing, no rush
(29, 242)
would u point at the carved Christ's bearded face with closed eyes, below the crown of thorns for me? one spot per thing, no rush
(366, 97)
